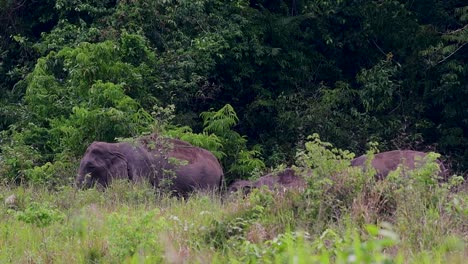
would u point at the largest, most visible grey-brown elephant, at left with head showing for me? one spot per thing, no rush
(178, 164)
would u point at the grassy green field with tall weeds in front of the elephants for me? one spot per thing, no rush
(343, 219)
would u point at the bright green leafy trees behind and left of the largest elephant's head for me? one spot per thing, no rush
(79, 95)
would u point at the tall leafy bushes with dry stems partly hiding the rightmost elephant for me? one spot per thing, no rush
(334, 189)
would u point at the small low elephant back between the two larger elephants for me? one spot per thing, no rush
(286, 179)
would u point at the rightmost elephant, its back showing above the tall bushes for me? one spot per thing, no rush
(386, 162)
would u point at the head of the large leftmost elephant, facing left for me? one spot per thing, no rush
(101, 163)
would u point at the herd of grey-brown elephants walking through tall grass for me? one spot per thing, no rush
(183, 168)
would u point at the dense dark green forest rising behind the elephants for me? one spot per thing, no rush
(249, 80)
